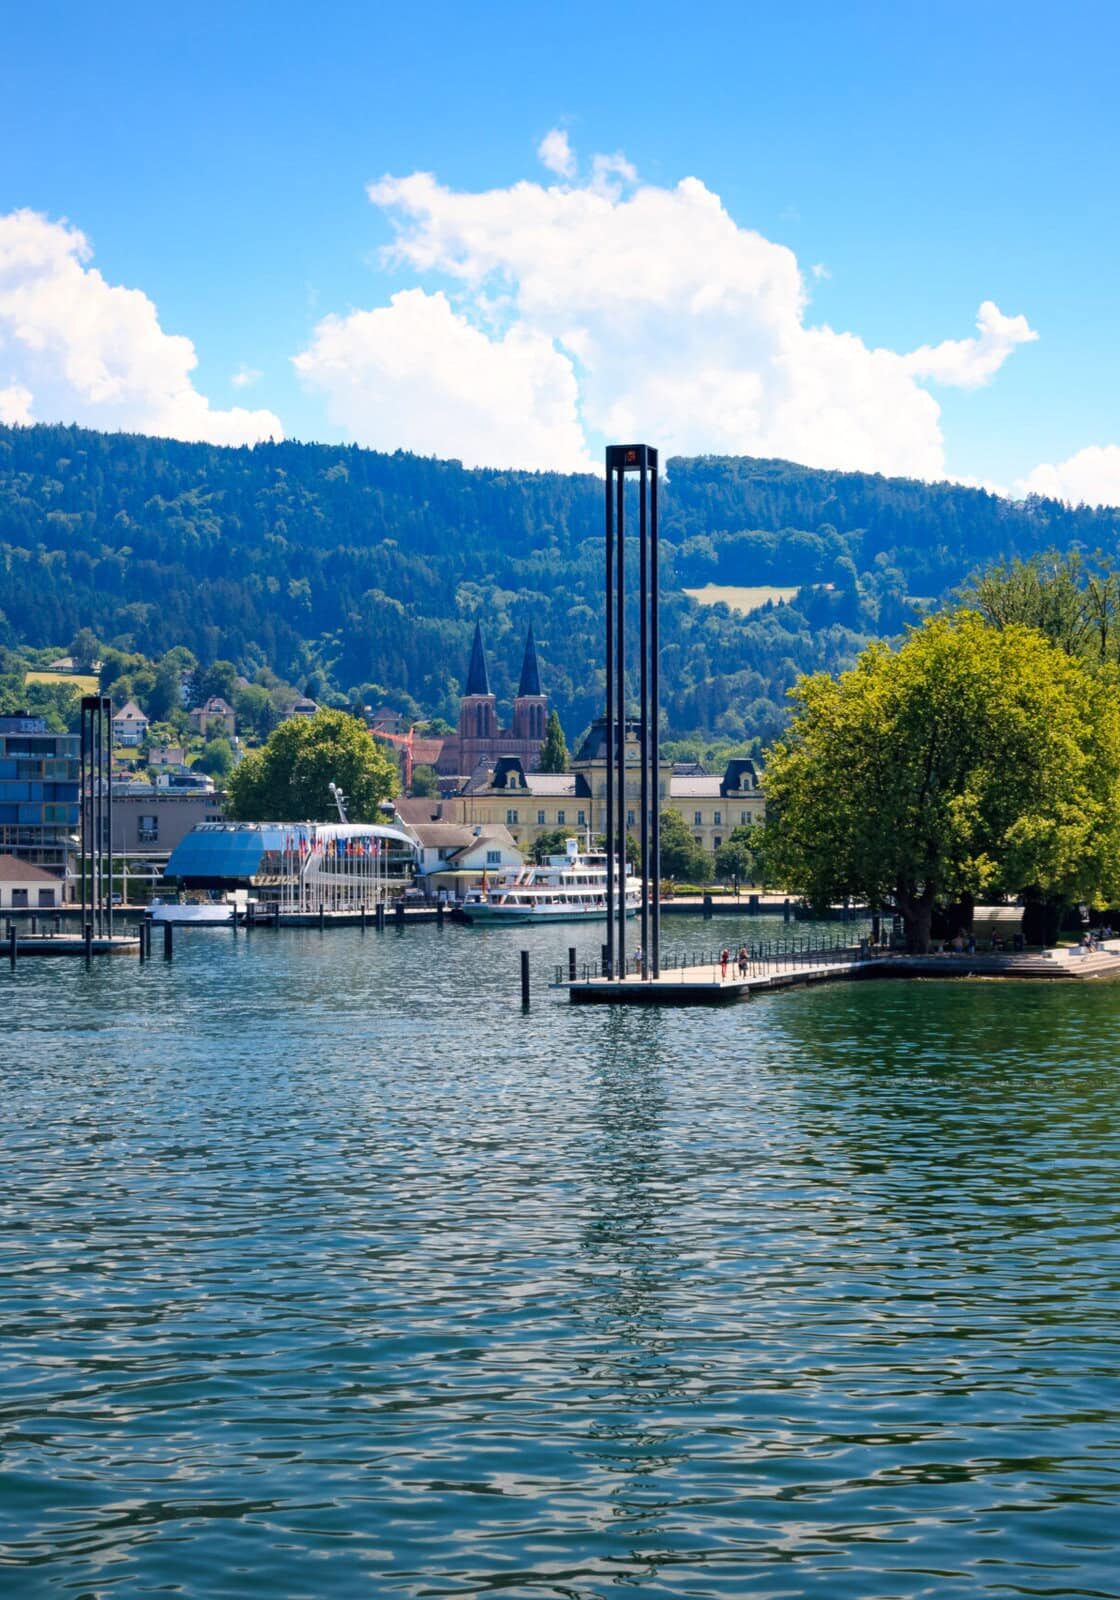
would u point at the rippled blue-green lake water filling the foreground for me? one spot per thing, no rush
(326, 1273)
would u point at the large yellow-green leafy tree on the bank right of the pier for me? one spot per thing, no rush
(970, 761)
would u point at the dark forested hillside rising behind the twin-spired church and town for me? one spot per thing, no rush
(342, 569)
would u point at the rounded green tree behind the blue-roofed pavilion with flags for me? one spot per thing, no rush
(289, 778)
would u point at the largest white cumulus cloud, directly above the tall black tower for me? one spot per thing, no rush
(577, 313)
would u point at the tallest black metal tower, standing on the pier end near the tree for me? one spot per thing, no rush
(642, 462)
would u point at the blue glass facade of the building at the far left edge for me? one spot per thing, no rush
(39, 794)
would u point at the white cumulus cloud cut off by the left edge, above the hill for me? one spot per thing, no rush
(79, 350)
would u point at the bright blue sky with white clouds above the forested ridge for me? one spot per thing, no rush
(924, 159)
